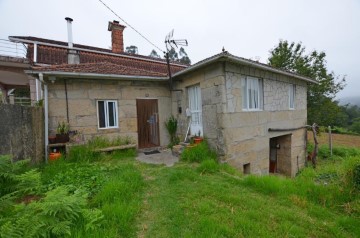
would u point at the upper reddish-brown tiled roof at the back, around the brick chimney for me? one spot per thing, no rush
(58, 55)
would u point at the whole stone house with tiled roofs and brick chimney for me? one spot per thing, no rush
(252, 114)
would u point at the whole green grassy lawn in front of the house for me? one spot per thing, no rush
(131, 199)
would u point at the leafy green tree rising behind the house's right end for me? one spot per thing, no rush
(322, 108)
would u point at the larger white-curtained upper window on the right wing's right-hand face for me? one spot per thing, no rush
(252, 93)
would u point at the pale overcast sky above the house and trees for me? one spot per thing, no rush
(248, 29)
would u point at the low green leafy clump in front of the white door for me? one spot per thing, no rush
(199, 153)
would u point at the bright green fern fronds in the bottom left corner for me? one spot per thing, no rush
(53, 216)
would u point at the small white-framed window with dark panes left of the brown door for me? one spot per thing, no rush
(107, 114)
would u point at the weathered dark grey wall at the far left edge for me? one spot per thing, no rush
(22, 132)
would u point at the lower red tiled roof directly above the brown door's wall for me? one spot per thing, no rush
(99, 68)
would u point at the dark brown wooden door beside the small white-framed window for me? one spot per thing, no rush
(148, 122)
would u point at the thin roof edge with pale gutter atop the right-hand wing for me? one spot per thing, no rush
(226, 56)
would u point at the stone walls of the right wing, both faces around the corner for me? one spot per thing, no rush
(241, 137)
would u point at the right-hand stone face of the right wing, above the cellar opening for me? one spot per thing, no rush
(247, 132)
